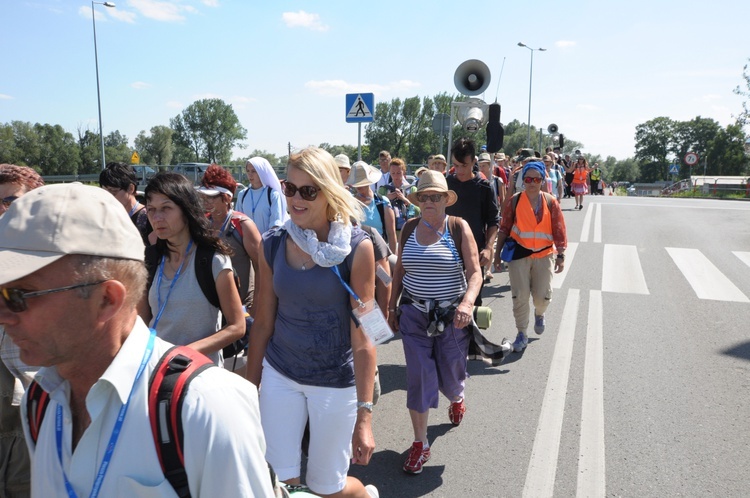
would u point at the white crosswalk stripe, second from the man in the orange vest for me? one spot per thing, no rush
(621, 270)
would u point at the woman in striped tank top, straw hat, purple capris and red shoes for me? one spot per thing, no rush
(440, 280)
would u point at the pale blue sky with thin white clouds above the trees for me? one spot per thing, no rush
(286, 66)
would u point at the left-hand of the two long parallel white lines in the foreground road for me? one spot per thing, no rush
(540, 477)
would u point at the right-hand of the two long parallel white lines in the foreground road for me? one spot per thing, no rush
(591, 460)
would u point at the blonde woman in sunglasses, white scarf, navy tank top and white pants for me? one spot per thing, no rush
(306, 354)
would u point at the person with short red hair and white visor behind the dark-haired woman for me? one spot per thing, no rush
(235, 229)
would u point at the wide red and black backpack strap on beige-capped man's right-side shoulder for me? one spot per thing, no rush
(166, 392)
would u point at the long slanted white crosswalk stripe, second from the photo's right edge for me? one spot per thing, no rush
(705, 279)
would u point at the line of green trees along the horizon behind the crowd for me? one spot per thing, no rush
(208, 130)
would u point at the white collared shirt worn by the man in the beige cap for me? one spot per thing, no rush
(224, 446)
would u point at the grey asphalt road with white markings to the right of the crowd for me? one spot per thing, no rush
(639, 386)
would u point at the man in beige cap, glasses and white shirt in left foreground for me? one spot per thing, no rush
(71, 274)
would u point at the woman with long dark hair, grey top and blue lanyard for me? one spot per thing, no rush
(176, 306)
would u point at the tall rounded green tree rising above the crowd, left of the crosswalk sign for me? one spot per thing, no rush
(210, 129)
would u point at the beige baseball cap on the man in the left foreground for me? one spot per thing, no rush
(50, 222)
